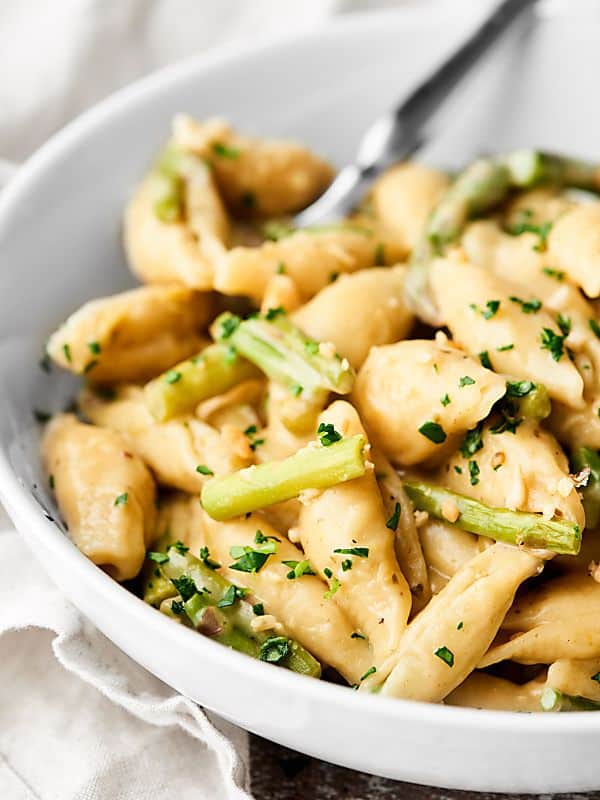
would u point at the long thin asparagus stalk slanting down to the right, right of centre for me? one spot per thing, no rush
(512, 527)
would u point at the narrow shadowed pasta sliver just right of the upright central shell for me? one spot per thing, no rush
(398, 506)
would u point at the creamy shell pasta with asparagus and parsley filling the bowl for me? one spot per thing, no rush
(365, 451)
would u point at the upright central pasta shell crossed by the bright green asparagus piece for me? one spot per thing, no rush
(372, 592)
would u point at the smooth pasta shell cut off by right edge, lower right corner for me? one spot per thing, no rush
(556, 620)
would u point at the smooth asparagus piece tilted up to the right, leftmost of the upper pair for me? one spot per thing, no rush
(213, 371)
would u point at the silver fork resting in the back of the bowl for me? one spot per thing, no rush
(397, 134)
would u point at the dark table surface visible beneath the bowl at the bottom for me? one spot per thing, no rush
(282, 774)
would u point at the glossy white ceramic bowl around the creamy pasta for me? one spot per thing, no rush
(59, 240)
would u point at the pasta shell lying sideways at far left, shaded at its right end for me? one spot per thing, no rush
(134, 335)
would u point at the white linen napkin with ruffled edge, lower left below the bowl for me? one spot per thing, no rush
(91, 724)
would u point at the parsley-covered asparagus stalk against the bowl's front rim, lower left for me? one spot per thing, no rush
(217, 608)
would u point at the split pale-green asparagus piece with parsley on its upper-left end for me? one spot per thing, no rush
(285, 354)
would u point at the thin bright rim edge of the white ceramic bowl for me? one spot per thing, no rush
(23, 506)
